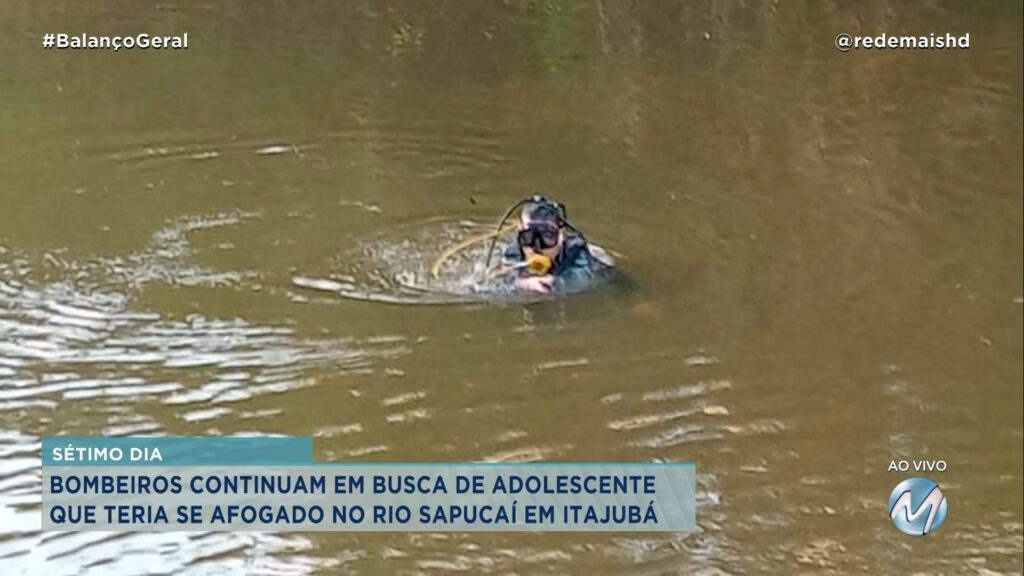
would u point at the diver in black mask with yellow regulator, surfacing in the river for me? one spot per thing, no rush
(549, 255)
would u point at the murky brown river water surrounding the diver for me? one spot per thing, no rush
(827, 252)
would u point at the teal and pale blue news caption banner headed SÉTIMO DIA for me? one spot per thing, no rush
(274, 484)
